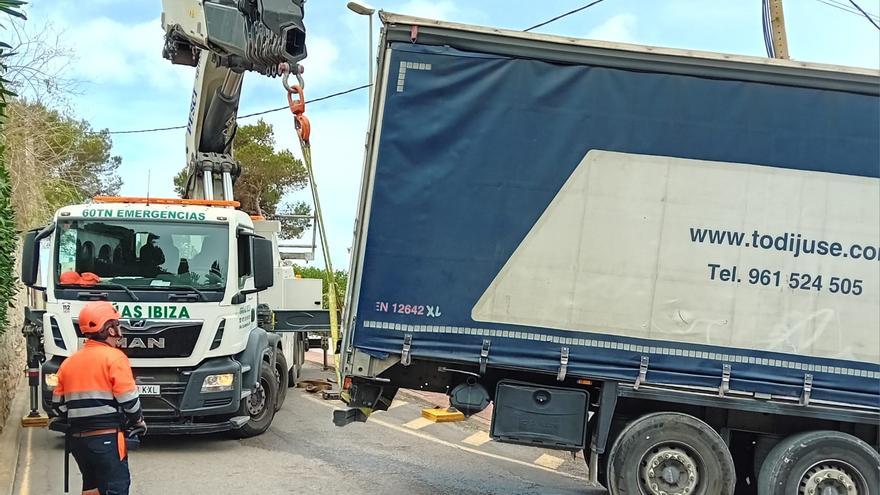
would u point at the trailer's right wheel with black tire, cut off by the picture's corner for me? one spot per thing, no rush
(805, 461)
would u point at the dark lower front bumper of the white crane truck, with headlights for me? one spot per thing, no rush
(181, 407)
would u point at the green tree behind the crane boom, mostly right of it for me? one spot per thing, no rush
(267, 176)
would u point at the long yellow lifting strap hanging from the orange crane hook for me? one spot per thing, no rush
(296, 101)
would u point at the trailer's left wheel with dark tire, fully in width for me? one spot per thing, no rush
(682, 446)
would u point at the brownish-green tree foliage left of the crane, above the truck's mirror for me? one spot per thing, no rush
(55, 160)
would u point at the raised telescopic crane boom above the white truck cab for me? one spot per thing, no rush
(223, 39)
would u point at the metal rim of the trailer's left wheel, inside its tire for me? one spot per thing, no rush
(669, 469)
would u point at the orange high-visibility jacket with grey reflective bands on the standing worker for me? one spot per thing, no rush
(96, 389)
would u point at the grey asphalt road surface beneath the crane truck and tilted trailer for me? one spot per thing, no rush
(304, 453)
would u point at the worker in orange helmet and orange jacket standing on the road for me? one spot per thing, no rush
(96, 393)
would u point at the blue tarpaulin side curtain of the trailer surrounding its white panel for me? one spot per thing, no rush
(474, 147)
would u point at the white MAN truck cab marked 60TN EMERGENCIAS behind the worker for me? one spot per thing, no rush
(188, 278)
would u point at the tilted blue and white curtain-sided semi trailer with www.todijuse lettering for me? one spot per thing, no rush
(666, 259)
